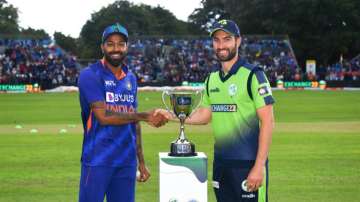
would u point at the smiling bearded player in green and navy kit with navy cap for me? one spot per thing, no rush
(238, 103)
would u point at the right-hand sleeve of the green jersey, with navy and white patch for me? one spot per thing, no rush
(261, 90)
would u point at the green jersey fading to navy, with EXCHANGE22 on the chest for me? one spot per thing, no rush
(234, 120)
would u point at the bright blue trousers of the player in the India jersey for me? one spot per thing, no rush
(116, 183)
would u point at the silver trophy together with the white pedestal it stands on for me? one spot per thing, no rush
(182, 172)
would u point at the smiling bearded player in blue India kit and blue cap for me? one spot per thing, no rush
(112, 135)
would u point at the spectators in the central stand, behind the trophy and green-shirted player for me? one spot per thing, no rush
(177, 60)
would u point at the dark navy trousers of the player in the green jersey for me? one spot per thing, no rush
(230, 185)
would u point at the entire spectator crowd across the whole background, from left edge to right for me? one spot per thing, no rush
(158, 60)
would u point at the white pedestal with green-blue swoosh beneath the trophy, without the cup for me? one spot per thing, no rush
(183, 178)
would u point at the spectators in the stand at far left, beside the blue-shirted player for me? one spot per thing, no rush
(24, 61)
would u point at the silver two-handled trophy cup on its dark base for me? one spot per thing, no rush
(182, 104)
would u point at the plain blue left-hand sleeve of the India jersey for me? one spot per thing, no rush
(90, 87)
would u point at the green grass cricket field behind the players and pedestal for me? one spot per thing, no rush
(315, 155)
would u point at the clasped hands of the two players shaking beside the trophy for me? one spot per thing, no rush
(159, 117)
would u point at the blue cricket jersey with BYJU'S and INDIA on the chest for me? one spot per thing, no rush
(107, 145)
